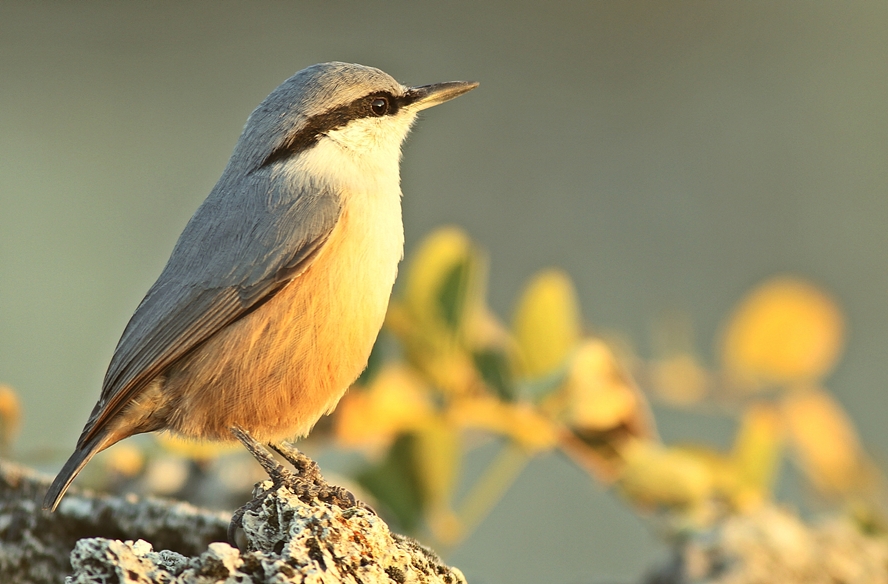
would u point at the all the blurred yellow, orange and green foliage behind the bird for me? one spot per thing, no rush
(544, 384)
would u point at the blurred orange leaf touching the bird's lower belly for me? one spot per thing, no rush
(395, 402)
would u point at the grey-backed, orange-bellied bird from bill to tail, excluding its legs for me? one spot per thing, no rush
(276, 290)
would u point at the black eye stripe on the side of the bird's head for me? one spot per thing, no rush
(318, 125)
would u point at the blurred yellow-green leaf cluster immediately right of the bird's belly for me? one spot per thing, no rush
(539, 385)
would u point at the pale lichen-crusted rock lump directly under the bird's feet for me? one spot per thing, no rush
(287, 540)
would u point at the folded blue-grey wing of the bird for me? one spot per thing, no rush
(237, 251)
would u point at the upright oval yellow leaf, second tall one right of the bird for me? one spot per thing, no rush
(547, 322)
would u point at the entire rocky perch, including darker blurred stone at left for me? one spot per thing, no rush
(286, 539)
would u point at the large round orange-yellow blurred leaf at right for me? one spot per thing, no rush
(785, 331)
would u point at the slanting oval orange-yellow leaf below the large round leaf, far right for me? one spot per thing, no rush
(825, 440)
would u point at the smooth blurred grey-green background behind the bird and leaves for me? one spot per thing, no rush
(668, 156)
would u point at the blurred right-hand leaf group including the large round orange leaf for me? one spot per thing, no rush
(778, 345)
